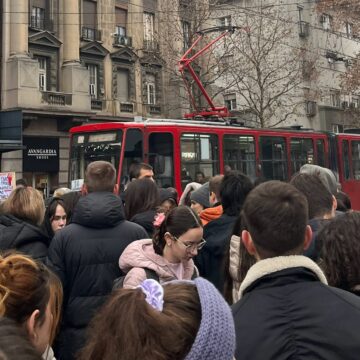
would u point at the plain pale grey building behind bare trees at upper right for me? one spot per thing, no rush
(308, 56)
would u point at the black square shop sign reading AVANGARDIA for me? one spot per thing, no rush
(41, 154)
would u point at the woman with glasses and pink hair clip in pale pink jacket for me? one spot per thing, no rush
(169, 254)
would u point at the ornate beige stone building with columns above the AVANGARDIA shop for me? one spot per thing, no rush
(69, 62)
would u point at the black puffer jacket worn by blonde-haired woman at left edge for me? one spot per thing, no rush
(22, 236)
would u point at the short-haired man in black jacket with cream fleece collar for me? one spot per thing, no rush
(286, 310)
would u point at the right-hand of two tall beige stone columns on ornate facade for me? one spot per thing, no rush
(71, 41)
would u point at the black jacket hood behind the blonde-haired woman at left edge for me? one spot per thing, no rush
(15, 233)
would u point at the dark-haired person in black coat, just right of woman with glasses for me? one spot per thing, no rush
(210, 261)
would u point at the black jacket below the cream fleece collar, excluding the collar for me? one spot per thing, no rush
(290, 314)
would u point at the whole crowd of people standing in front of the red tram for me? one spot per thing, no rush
(231, 270)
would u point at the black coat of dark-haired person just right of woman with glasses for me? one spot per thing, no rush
(210, 260)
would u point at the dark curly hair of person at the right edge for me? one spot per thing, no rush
(340, 252)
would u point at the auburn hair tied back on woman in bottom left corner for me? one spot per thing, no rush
(25, 286)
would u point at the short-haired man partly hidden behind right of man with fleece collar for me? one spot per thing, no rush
(321, 206)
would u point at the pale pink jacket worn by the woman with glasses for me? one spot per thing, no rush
(141, 254)
